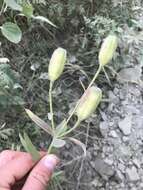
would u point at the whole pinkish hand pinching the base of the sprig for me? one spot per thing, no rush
(19, 172)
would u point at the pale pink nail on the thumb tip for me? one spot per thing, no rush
(50, 162)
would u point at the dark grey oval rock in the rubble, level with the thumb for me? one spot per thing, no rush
(104, 169)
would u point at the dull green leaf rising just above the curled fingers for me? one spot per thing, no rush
(29, 147)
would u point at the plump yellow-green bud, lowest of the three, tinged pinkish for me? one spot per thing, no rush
(88, 102)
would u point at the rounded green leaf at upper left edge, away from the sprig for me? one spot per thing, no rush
(12, 32)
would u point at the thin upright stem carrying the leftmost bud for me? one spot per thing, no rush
(51, 105)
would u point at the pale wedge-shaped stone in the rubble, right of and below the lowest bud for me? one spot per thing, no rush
(125, 125)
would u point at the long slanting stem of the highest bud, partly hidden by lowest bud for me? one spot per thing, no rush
(91, 83)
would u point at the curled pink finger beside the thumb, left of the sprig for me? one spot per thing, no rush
(15, 170)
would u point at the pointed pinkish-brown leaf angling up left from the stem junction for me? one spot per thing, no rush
(42, 124)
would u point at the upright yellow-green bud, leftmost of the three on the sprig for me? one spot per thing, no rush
(57, 63)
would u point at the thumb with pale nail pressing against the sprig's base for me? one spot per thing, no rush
(40, 175)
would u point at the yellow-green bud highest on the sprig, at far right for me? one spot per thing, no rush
(108, 49)
